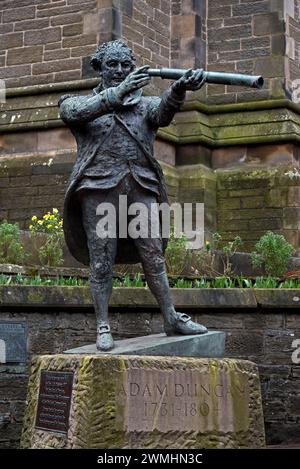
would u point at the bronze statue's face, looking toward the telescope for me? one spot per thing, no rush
(116, 65)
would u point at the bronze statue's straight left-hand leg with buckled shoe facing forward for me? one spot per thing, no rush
(102, 252)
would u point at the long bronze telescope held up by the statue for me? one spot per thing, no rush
(220, 78)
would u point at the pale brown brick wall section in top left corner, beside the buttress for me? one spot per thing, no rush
(44, 40)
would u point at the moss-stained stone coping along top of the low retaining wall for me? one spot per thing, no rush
(69, 296)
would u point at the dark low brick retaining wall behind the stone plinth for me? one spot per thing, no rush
(263, 336)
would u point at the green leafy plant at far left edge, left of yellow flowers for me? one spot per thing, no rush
(11, 248)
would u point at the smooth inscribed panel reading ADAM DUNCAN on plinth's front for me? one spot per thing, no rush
(185, 400)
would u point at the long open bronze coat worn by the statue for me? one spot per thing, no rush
(93, 119)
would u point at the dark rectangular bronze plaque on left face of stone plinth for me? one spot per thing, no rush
(54, 401)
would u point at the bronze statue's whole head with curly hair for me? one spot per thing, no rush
(114, 60)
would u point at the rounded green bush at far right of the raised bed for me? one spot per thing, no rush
(273, 252)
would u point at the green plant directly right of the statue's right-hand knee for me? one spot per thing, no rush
(177, 256)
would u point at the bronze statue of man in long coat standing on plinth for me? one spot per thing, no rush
(115, 129)
